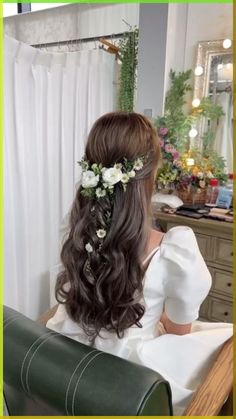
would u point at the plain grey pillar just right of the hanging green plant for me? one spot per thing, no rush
(151, 58)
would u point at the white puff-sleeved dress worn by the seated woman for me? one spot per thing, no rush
(176, 280)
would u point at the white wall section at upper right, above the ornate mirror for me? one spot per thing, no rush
(189, 24)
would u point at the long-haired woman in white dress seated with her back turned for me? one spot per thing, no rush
(120, 277)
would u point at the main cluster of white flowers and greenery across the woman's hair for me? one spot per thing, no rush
(98, 181)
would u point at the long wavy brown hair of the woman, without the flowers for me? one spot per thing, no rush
(108, 295)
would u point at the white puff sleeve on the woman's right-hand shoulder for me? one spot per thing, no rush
(187, 280)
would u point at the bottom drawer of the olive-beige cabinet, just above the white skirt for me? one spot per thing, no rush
(220, 310)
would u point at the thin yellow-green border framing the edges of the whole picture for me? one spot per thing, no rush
(1, 172)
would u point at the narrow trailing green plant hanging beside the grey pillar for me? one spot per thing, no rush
(128, 74)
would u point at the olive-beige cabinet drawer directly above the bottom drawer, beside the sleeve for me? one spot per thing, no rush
(222, 282)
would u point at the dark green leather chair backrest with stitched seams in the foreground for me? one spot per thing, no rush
(48, 374)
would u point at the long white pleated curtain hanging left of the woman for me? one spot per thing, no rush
(50, 102)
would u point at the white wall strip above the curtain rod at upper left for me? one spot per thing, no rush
(71, 22)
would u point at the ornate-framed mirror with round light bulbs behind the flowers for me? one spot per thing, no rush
(214, 78)
